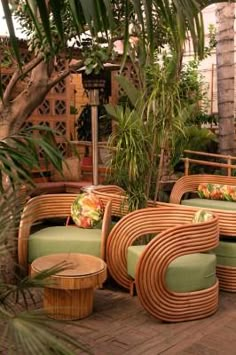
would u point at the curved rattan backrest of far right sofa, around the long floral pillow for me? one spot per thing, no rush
(190, 183)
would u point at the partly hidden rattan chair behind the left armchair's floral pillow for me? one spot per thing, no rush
(118, 197)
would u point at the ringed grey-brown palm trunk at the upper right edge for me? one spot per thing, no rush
(225, 76)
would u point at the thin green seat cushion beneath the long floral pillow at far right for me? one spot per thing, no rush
(205, 203)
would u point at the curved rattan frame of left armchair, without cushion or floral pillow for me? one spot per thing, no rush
(52, 206)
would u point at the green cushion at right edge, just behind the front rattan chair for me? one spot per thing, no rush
(226, 253)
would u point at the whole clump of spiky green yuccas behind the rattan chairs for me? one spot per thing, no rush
(146, 130)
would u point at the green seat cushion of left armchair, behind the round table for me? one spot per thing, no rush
(63, 239)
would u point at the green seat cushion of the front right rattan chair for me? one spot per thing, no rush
(187, 273)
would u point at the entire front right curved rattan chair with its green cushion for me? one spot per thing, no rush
(176, 248)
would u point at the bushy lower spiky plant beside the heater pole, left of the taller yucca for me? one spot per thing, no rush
(129, 145)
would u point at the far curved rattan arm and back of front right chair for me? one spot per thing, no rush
(134, 225)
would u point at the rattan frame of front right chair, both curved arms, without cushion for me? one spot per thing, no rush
(178, 236)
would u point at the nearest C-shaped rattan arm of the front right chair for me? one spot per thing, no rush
(152, 266)
